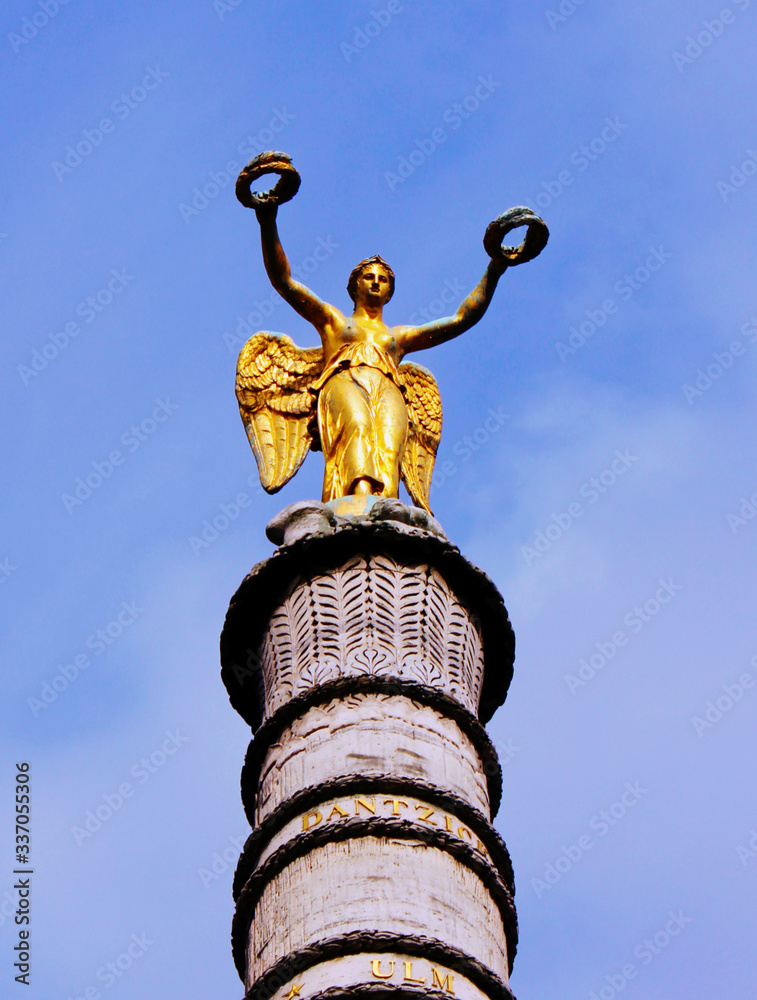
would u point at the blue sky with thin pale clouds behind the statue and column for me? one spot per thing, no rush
(648, 285)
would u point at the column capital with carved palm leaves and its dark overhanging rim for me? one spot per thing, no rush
(340, 601)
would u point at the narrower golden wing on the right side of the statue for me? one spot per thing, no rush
(424, 411)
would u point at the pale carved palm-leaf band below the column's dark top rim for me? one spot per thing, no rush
(372, 616)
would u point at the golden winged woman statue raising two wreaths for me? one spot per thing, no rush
(375, 418)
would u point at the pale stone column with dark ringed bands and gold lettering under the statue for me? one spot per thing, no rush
(366, 654)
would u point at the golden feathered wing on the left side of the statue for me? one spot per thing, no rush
(273, 382)
